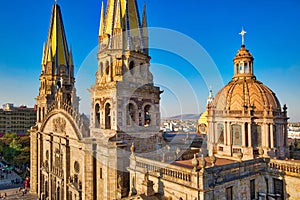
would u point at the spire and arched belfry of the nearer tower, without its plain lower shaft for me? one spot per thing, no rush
(124, 99)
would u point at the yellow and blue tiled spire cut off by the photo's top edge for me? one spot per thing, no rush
(122, 18)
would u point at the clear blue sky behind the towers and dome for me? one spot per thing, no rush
(273, 38)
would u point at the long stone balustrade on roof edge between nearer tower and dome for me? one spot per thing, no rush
(166, 171)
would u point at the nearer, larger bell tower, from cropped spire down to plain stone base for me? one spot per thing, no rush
(124, 101)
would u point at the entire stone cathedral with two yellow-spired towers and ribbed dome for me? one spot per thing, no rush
(119, 153)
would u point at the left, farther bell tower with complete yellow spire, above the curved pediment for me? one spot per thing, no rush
(57, 75)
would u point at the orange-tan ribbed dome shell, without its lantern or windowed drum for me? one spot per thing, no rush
(241, 93)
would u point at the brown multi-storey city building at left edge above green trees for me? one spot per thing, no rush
(16, 119)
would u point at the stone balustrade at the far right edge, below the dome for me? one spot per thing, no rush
(291, 168)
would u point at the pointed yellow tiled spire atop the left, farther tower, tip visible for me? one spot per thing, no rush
(56, 44)
